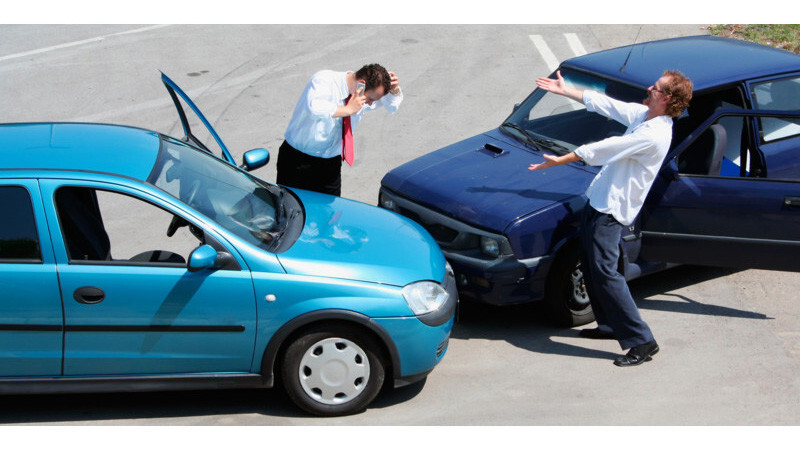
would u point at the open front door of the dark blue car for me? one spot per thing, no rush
(733, 212)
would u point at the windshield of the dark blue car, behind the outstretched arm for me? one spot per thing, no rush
(558, 124)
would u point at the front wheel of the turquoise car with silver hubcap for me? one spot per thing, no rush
(333, 371)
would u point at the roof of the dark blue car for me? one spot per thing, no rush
(708, 61)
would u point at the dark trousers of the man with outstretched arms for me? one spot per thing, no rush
(612, 303)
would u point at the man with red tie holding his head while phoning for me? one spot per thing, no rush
(319, 135)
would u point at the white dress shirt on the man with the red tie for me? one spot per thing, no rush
(313, 129)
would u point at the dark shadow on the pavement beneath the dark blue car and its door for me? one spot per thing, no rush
(527, 327)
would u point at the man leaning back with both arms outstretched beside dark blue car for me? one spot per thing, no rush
(630, 164)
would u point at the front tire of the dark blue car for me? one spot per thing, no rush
(566, 300)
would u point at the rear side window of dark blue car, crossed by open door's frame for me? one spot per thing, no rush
(778, 95)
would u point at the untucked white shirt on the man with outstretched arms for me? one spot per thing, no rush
(630, 162)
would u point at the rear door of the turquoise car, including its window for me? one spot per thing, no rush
(31, 321)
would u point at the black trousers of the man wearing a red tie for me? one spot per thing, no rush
(297, 169)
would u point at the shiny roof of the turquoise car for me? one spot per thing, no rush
(115, 149)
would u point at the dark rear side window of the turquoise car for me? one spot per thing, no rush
(19, 240)
